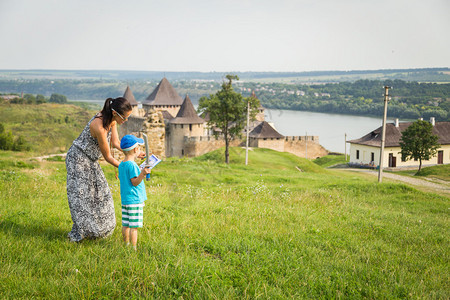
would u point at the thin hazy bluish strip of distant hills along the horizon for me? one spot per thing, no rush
(420, 75)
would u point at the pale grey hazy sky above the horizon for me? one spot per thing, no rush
(223, 36)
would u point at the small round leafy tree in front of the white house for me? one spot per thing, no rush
(418, 142)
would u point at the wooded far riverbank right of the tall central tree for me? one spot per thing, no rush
(409, 100)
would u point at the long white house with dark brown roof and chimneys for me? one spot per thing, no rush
(366, 150)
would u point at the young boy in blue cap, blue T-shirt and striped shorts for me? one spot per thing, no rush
(132, 189)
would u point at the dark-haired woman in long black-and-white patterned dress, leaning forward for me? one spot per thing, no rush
(90, 200)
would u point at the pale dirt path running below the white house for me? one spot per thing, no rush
(443, 187)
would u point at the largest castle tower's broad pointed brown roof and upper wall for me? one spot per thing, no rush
(163, 97)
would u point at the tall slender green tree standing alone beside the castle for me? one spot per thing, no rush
(227, 111)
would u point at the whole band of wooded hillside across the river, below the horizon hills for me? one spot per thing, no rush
(409, 99)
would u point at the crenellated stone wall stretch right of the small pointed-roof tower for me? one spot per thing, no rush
(302, 146)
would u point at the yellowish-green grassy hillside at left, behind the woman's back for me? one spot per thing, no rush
(47, 128)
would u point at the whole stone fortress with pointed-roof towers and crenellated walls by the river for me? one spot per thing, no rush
(174, 128)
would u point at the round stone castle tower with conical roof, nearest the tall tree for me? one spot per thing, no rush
(185, 125)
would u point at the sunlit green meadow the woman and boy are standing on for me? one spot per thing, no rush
(213, 230)
